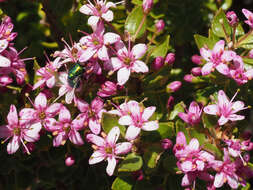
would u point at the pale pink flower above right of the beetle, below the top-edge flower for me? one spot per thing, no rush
(96, 44)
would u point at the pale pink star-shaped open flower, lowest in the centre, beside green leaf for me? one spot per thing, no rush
(107, 149)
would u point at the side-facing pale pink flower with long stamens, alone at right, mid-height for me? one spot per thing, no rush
(225, 109)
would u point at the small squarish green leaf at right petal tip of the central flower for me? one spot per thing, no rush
(166, 129)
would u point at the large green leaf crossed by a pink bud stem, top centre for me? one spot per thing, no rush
(134, 20)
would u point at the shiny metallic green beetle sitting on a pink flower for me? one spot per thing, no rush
(74, 75)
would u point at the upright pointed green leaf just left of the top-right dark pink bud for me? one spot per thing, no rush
(217, 26)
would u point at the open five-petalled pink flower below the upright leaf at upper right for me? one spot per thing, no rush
(216, 58)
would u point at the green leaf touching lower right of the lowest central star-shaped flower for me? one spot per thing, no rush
(131, 163)
